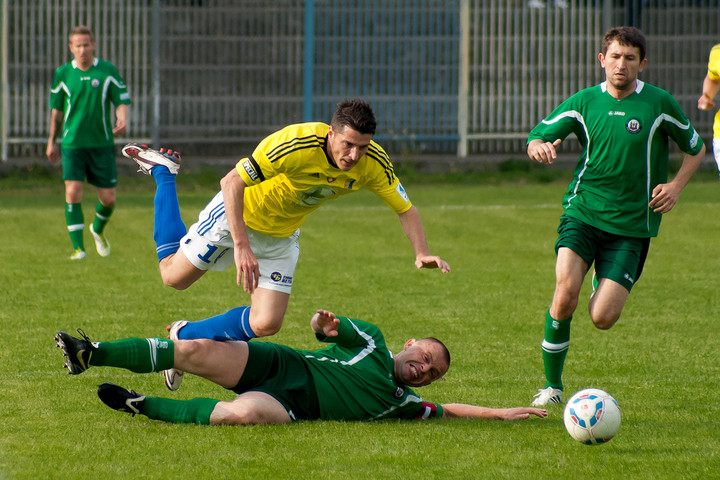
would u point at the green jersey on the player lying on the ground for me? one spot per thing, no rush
(354, 378)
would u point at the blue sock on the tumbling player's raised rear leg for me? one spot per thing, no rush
(169, 227)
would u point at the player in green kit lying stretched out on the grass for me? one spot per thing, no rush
(354, 378)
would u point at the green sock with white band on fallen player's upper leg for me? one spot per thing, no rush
(139, 355)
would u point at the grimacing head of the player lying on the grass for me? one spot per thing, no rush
(420, 363)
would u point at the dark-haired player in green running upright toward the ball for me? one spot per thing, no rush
(618, 194)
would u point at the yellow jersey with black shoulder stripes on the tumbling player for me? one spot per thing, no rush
(290, 174)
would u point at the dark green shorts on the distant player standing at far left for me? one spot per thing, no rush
(97, 164)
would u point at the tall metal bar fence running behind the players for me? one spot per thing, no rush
(461, 77)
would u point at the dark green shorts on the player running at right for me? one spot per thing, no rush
(618, 258)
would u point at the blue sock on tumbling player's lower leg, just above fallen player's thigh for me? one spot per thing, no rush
(231, 325)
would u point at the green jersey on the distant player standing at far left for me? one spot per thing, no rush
(86, 99)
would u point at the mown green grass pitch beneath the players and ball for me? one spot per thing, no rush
(661, 361)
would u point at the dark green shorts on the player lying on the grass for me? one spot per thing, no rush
(282, 373)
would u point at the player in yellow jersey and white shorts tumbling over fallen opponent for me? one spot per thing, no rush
(254, 220)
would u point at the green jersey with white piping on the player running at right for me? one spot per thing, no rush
(625, 154)
